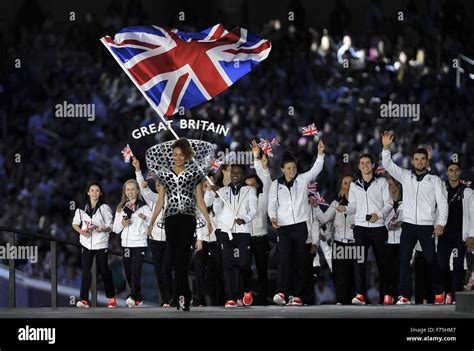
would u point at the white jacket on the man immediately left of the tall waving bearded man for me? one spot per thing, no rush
(376, 199)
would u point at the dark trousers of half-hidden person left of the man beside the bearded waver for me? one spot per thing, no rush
(343, 270)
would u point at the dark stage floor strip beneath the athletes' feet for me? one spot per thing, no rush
(330, 311)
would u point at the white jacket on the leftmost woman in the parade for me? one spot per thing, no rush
(102, 218)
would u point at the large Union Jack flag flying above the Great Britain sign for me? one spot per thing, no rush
(175, 68)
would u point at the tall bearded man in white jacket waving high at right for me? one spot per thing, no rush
(425, 213)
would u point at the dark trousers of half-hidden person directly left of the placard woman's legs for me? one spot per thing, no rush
(162, 270)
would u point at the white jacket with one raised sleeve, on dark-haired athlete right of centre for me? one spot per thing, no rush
(290, 206)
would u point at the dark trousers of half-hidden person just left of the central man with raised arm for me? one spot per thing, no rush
(259, 249)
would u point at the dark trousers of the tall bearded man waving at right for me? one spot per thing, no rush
(412, 233)
